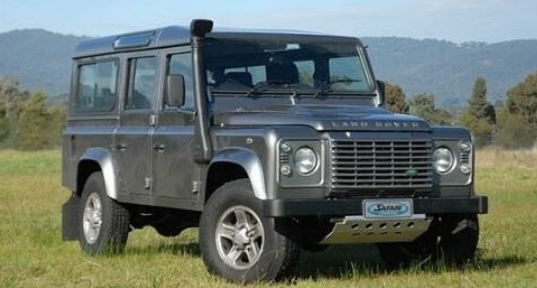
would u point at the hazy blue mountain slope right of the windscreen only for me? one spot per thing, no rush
(447, 69)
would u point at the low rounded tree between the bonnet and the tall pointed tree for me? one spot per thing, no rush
(423, 105)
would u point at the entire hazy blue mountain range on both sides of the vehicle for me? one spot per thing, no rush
(41, 60)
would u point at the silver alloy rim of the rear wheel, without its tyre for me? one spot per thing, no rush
(91, 219)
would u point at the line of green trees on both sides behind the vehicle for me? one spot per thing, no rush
(27, 122)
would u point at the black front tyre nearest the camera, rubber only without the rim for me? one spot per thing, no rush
(279, 255)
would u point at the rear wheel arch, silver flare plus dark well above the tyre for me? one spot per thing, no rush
(97, 159)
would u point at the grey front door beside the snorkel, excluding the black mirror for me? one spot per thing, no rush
(173, 165)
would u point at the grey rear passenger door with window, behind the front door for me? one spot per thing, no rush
(137, 120)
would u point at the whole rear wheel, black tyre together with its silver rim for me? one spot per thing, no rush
(105, 231)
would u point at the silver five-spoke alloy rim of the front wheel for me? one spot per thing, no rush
(240, 237)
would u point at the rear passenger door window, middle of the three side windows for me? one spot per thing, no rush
(142, 84)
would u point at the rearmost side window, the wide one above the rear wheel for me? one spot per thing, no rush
(97, 87)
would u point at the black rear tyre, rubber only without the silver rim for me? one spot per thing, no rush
(114, 229)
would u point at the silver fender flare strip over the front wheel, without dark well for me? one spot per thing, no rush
(249, 161)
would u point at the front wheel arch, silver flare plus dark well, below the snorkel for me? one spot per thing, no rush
(232, 164)
